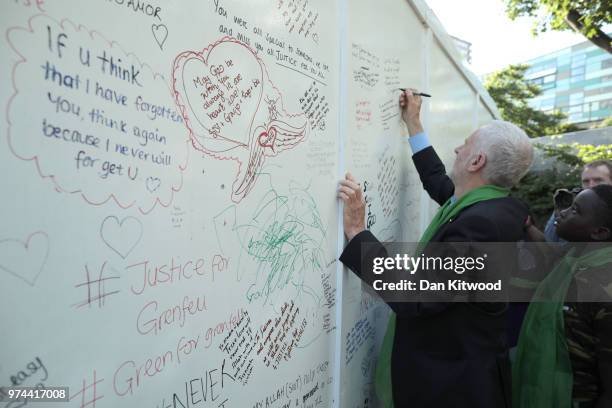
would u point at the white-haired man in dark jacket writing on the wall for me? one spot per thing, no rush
(448, 354)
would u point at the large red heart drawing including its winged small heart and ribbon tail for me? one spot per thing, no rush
(232, 109)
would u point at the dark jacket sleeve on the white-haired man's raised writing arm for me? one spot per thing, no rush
(433, 175)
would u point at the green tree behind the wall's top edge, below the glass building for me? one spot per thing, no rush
(511, 92)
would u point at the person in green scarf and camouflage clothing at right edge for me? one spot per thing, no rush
(564, 356)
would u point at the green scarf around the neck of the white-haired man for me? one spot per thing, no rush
(448, 211)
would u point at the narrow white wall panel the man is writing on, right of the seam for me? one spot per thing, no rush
(384, 46)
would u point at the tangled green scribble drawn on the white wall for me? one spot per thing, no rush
(281, 248)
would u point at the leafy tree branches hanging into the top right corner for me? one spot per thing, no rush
(553, 14)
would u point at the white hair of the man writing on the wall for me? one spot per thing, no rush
(508, 150)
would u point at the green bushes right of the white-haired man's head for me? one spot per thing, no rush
(537, 187)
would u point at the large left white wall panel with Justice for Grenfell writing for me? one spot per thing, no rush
(164, 167)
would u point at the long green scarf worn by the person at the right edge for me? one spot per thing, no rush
(542, 374)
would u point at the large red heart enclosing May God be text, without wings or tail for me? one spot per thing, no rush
(220, 88)
